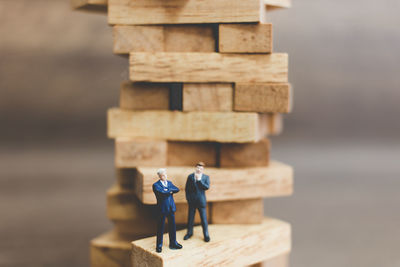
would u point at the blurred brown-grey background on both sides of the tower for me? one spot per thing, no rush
(58, 76)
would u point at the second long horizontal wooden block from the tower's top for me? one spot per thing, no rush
(208, 67)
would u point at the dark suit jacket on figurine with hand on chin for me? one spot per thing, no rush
(195, 190)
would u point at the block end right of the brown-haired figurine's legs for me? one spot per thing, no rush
(244, 211)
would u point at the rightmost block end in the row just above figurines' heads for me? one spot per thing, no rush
(245, 155)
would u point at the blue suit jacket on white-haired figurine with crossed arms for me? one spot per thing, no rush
(164, 195)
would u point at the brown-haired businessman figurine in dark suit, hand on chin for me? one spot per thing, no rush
(196, 185)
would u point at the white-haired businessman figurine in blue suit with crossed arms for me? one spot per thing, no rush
(164, 190)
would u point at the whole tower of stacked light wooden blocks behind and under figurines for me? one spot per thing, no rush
(204, 85)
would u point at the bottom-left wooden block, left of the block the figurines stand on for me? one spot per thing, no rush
(110, 250)
